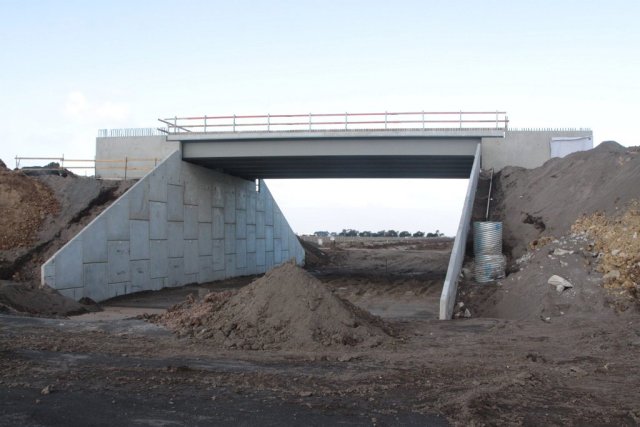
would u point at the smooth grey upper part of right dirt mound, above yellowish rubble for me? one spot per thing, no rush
(547, 200)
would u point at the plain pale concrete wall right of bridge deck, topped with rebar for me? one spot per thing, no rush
(526, 148)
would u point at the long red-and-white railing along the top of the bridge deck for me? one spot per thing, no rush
(338, 121)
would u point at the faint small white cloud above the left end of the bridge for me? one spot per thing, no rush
(79, 108)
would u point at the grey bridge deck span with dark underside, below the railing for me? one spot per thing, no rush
(429, 153)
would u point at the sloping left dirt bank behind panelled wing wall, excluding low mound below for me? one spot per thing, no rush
(39, 214)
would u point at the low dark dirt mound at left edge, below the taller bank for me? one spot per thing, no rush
(22, 298)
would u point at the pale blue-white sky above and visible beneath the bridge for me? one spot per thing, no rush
(70, 68)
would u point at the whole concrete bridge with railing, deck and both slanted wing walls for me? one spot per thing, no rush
(198, 215)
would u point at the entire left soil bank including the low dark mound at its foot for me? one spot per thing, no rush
(39, 213)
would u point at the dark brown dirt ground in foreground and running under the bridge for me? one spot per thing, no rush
(464, 372)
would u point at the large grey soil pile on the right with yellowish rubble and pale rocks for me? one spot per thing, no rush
(575, 218)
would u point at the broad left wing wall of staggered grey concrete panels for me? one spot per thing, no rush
(180, 224)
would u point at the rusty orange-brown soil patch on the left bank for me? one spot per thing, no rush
(25, 202)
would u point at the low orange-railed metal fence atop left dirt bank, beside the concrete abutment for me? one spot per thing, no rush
(126, 164)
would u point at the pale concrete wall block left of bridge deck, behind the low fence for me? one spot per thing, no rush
(131, 157)
